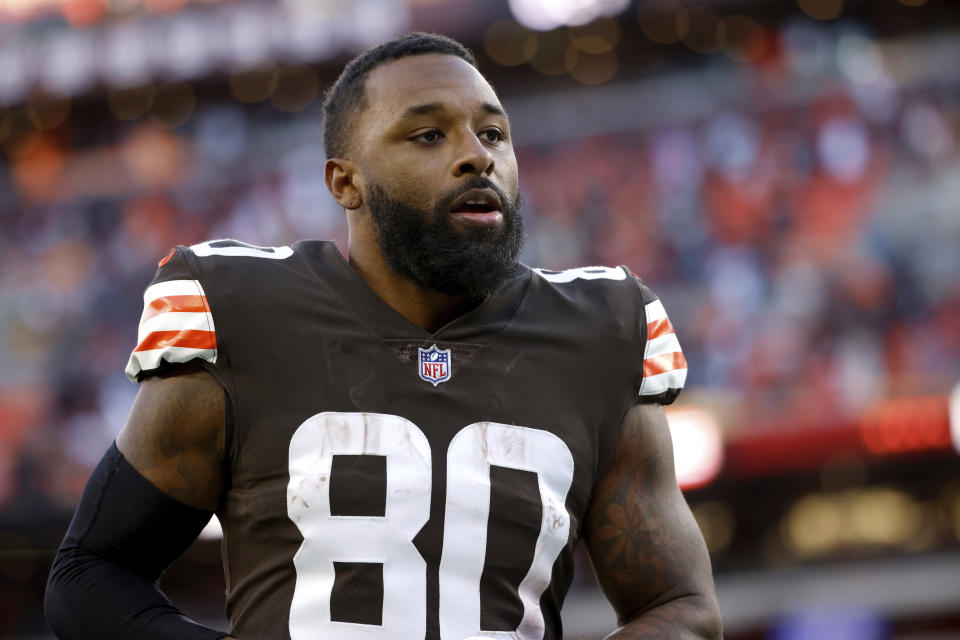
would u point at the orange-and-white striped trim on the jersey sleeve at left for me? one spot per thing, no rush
(176, 326)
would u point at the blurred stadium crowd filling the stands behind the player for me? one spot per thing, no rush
(807, 249)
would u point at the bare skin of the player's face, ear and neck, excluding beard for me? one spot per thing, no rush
(431, 123)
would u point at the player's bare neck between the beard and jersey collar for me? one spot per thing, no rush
(428, 309)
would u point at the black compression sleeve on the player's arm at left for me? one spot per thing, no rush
(103, 583)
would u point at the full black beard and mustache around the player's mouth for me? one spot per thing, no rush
(427, 249)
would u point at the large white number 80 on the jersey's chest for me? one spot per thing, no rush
(388, 539)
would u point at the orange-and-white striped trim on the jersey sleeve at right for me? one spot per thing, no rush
(664, 367)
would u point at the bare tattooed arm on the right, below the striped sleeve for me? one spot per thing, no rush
(647, 551)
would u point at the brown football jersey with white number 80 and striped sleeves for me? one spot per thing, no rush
(389, 482)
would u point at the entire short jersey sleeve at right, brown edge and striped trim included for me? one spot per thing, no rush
(664, 369)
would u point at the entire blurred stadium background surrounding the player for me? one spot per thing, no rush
(784, 174)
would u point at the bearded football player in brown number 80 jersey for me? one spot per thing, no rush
(408, 444)
